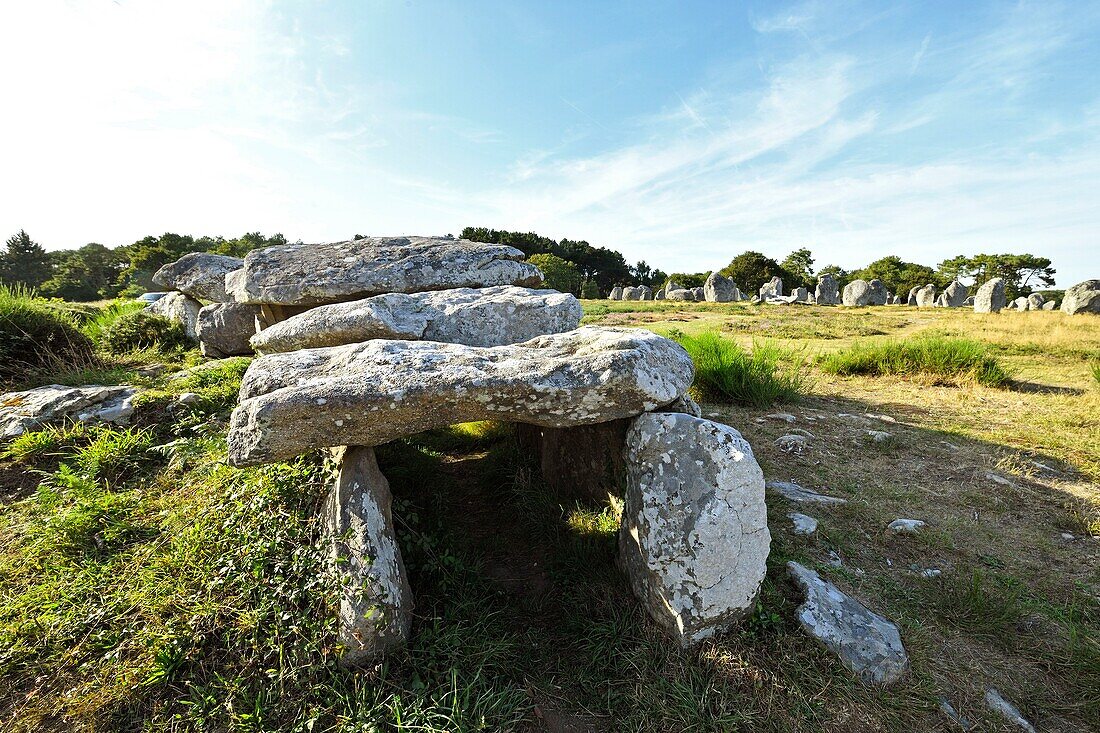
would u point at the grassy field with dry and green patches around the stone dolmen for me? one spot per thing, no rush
(147, 586)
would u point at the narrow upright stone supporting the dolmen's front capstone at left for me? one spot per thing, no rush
(376, 599)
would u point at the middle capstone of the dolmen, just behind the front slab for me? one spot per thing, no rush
(482, 318)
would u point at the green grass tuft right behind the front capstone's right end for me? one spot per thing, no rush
(728, 374)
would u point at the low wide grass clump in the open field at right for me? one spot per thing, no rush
(960, 360)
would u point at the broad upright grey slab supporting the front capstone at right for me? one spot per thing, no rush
(695, 538)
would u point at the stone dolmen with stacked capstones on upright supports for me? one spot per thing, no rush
(375, 367)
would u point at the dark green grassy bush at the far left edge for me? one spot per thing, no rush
(36, 336)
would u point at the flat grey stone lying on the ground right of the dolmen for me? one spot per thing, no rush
(866, 643)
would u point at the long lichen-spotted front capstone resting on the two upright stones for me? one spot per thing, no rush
(365, 395)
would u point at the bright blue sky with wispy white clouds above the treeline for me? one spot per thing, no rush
(679, 134)
